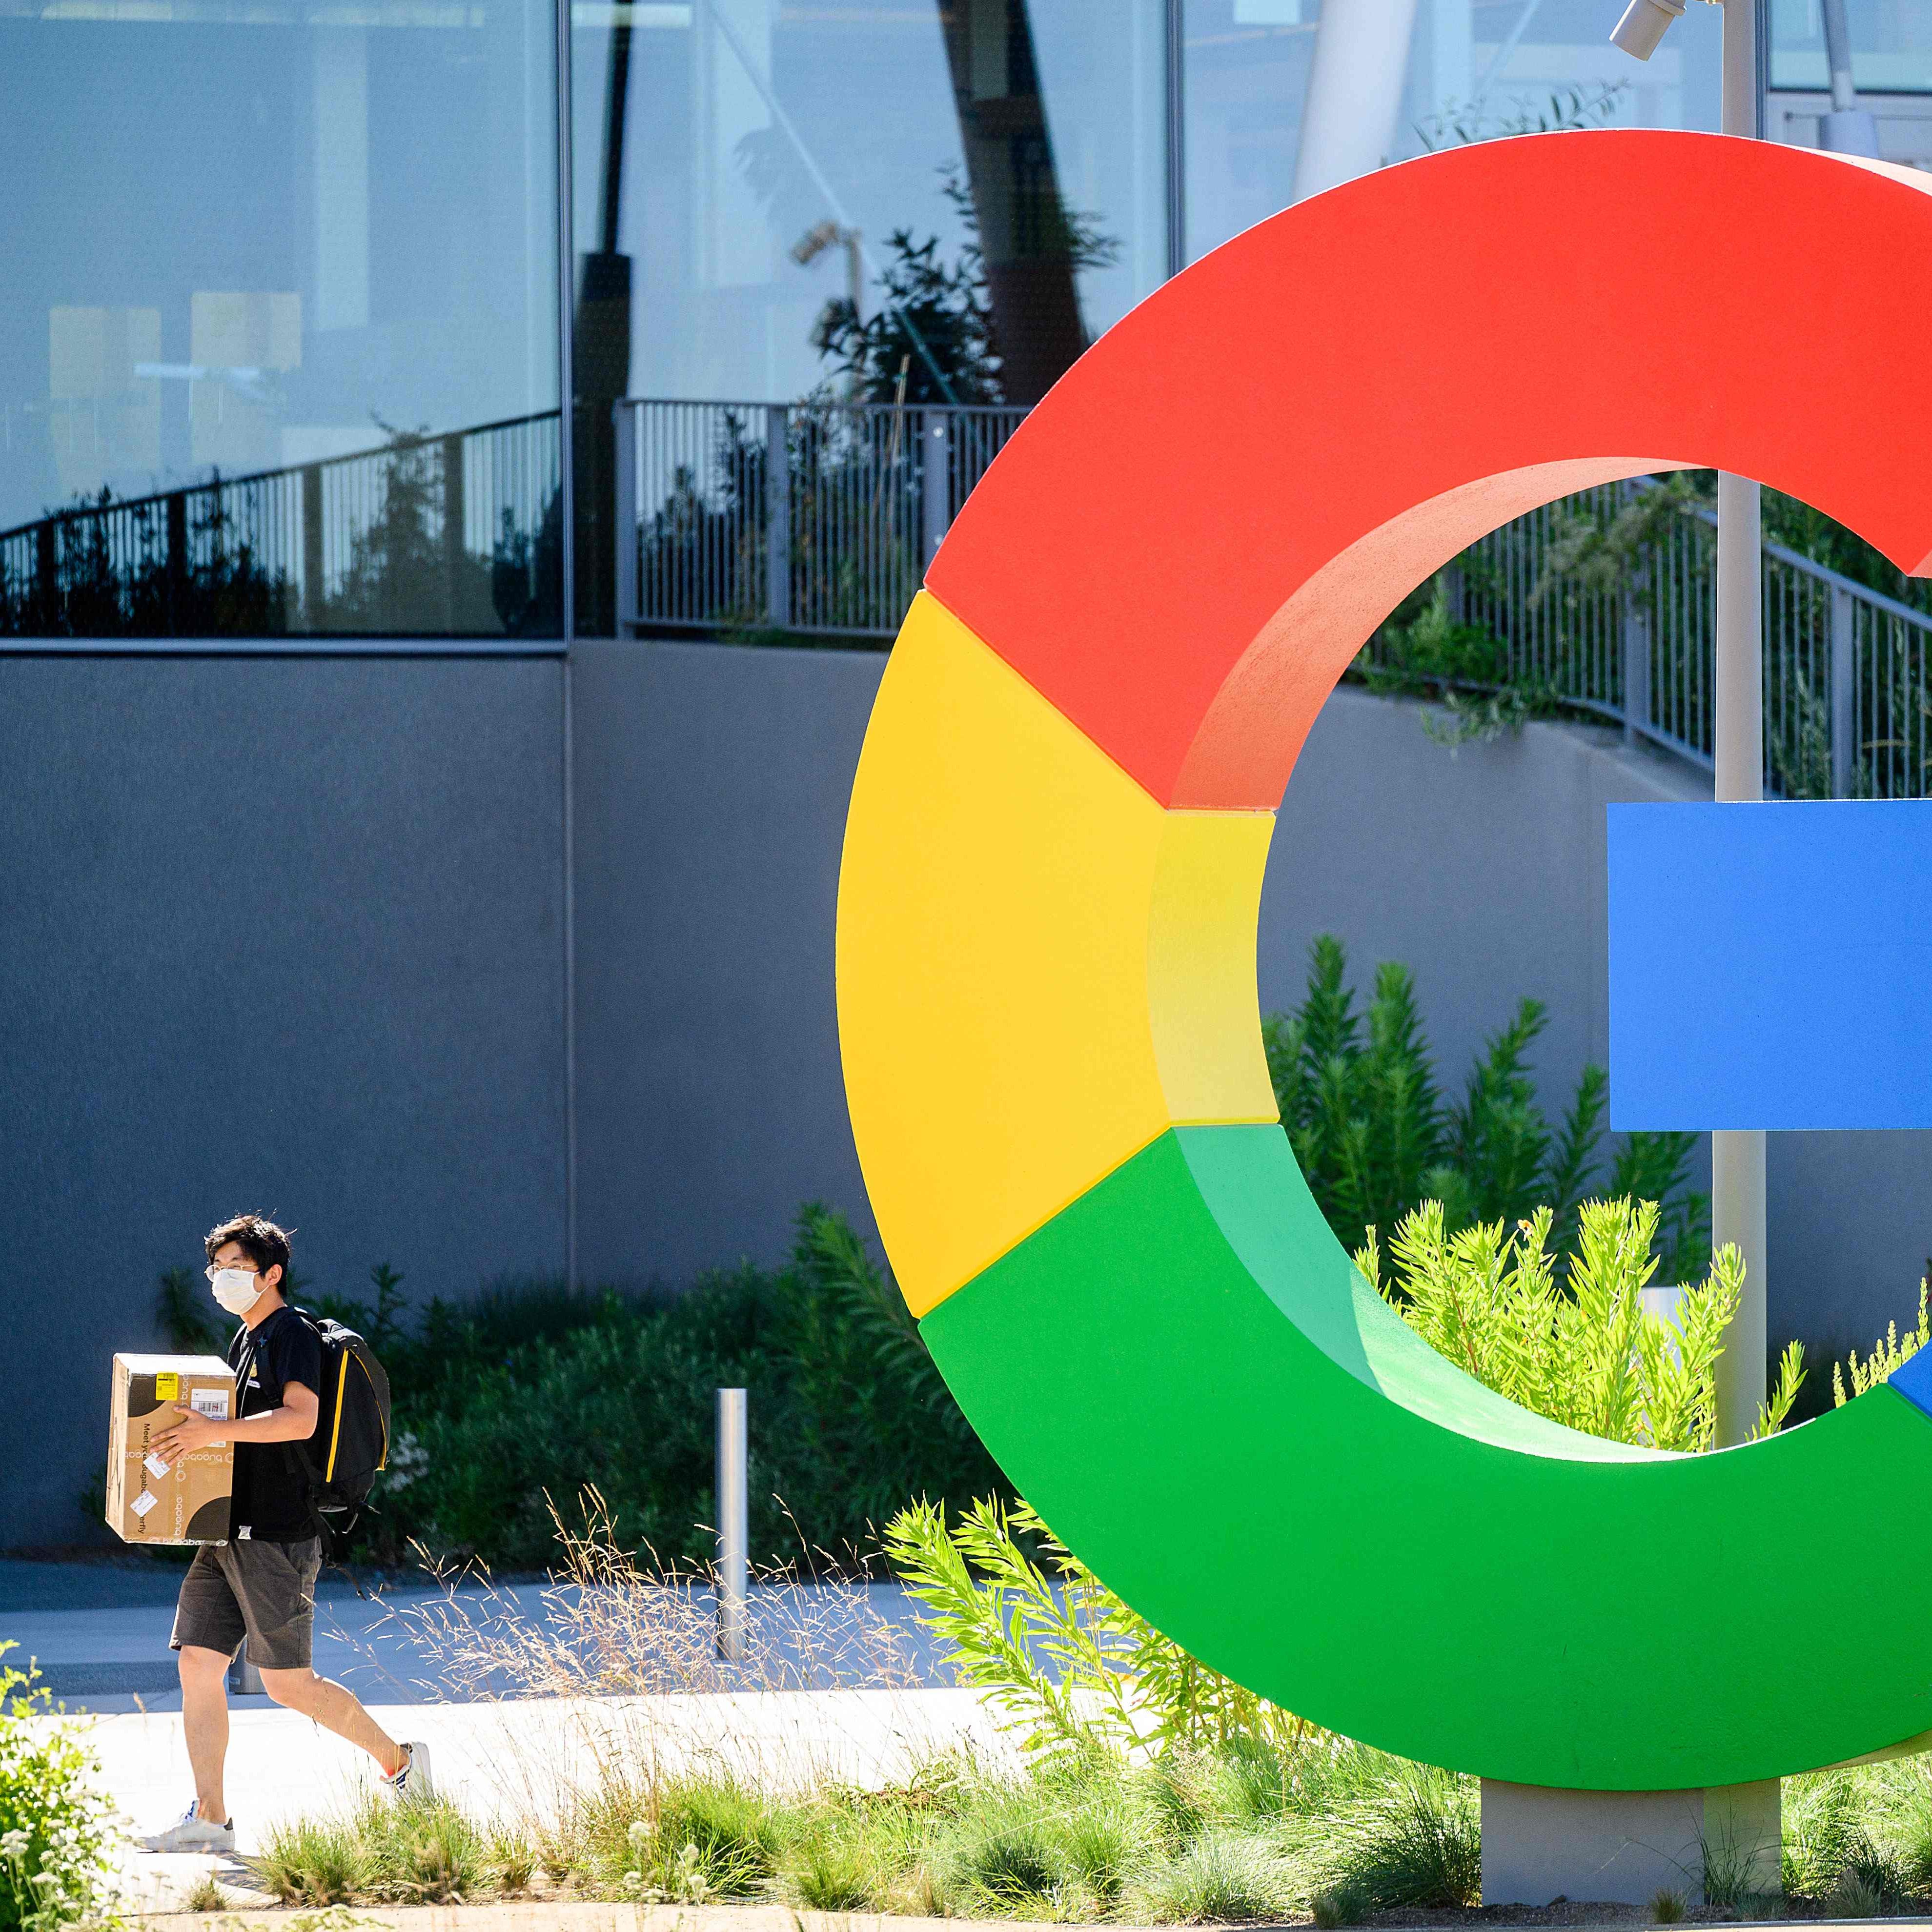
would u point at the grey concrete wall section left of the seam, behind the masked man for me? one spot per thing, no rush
(273, 934)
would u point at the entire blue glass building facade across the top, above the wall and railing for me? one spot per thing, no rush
(295, 287)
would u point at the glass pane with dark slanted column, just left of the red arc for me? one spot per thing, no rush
(919, 202)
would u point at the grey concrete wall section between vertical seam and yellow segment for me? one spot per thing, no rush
(712, 791)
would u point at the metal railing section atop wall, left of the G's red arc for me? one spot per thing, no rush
(814, 517)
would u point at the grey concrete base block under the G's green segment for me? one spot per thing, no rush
(1628, 1846)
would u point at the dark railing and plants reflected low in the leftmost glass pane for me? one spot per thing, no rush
(426, 536)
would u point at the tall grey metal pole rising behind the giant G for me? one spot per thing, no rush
(1738, 1156)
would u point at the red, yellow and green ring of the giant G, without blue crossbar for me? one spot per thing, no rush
(1046, 955)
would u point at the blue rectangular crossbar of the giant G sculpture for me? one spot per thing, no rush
(1771, 967)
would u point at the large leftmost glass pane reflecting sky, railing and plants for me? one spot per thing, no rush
(277, 335)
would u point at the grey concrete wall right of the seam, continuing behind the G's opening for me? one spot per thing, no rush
(712, 791)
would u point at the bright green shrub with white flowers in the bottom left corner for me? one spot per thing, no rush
(57, 1833)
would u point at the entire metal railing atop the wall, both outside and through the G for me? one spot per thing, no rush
(822, 517)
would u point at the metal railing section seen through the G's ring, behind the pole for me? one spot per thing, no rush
(1848, 671)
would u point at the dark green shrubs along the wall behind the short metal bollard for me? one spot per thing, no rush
(845, 1409)
